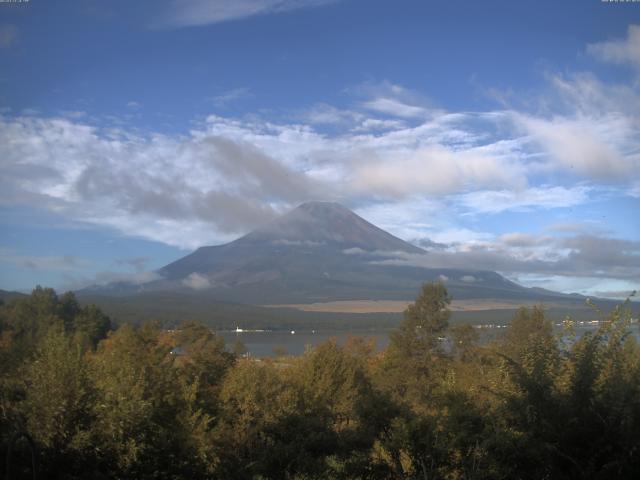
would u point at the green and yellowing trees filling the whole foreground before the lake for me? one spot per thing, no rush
(81, 399)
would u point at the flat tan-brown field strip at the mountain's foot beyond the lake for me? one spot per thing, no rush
(396, 306)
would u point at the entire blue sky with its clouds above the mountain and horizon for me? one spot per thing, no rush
(508, 133)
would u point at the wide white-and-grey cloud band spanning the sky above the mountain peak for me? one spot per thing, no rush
(412, 175)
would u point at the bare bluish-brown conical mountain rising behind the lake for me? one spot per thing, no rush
(320, 252)
